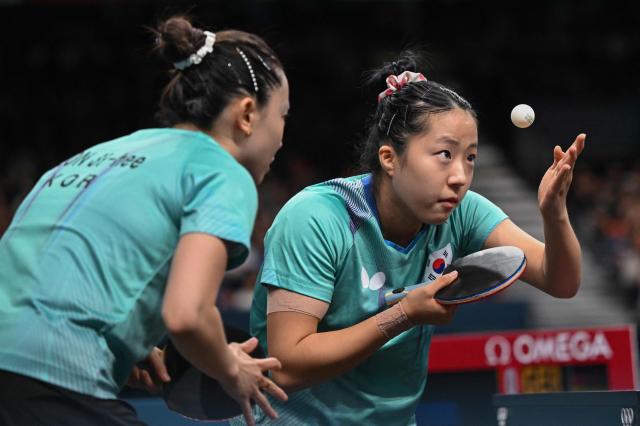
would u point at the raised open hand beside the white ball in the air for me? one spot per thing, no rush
(552, 193)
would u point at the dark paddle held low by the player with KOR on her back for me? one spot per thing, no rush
(195, 395)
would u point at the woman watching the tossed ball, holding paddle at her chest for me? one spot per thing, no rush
(336, 248)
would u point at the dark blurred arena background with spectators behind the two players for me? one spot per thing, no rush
(75, 73)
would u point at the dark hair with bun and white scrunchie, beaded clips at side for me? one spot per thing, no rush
(198, 93)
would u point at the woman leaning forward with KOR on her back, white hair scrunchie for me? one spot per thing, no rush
(130, 239)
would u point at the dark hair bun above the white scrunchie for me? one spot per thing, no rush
(176, 38)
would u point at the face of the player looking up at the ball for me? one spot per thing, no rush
(436, 168)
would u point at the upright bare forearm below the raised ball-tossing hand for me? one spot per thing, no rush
(562, 263)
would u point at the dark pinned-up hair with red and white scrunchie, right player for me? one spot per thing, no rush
(405, 112)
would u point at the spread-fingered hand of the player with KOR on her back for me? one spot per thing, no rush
(248, 382)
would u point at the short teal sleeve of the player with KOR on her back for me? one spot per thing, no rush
(220, 199)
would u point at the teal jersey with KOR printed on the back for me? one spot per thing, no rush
(84, 263)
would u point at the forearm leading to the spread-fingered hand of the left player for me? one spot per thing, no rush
(204, 344)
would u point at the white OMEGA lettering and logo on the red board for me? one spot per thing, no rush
(559, 347)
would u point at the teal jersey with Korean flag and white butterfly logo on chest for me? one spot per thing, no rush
(326, 243)
